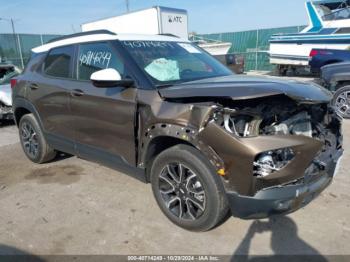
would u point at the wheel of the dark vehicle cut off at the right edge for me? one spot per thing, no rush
(341, 101)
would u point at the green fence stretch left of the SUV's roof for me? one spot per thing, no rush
(16, 48)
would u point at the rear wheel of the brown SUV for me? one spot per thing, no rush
(33, 141)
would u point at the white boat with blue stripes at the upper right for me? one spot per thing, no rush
(329, 28)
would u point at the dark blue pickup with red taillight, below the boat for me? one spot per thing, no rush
(321, 57)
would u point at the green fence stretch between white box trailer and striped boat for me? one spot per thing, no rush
(253, 45)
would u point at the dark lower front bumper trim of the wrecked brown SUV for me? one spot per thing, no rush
(284, 199)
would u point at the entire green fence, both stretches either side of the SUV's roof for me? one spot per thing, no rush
(253, 45)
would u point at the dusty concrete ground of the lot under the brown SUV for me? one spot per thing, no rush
(75, 207)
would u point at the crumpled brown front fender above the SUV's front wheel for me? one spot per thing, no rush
(173, 120)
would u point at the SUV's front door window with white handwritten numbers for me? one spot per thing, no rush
(97, 56)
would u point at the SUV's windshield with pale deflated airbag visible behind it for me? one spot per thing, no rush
(174, 62)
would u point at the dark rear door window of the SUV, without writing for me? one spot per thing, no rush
(58, 62)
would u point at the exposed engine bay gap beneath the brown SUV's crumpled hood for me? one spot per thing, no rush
(271, 118)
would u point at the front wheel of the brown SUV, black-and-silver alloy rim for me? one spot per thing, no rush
(200, 184)
